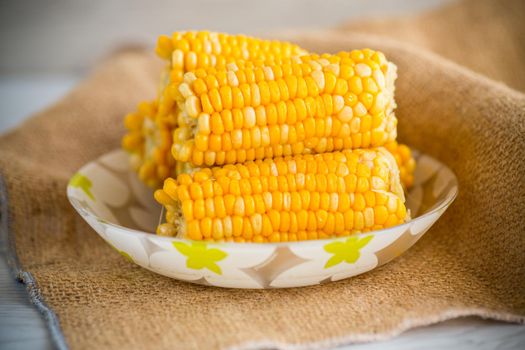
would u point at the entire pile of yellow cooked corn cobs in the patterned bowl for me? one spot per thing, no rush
(252, 140)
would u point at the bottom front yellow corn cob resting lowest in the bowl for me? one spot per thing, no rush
(286, 199)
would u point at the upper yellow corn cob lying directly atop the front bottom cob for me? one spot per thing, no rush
(298, 105)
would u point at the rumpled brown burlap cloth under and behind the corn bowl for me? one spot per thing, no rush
(472, 262)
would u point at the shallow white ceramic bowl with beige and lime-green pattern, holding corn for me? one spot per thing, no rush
(109, 196)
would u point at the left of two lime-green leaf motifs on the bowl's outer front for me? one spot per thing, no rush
(199, 256)
